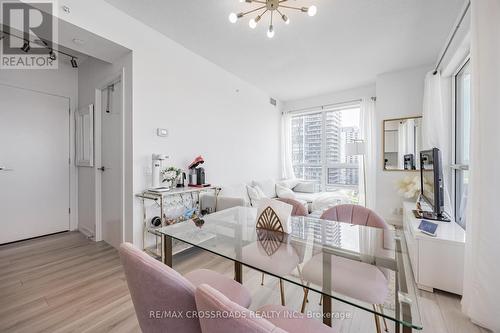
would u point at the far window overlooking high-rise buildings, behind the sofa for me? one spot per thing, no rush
(318, 148)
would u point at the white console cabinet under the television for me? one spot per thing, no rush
(437, 262)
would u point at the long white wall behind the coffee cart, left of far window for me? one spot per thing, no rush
(237, 132)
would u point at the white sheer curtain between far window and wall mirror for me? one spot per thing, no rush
(367, 130)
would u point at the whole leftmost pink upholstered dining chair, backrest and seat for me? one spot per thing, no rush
(155, 288)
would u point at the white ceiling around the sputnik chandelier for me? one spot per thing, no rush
(345, 45)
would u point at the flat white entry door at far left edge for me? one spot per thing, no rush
(34, 153)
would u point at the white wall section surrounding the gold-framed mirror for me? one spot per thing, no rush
(399, 94)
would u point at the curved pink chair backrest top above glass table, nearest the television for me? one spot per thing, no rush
(354, 214)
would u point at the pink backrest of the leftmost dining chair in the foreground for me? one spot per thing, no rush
(157, 291)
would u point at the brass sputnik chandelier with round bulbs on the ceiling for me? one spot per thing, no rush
(270, 6)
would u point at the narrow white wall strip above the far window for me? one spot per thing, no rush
(331, 98)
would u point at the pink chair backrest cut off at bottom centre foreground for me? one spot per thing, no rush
(237, 320)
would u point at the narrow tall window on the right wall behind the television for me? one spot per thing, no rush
(463, 95)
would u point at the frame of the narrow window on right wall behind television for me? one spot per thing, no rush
(456, 167)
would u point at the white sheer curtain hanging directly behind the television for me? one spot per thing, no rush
(435, 133)
